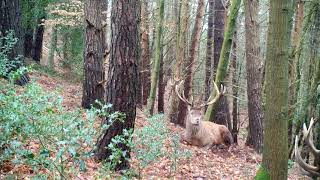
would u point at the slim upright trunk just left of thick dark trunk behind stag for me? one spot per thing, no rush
(209, 54)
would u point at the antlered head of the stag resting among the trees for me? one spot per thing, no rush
(195, 113)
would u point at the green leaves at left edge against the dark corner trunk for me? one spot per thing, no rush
(7, 43)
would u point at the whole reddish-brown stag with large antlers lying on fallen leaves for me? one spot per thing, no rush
(203, 133)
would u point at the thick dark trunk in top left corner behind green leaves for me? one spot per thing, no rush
(10, 19)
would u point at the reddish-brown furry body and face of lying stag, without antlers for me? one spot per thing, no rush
(204, 133)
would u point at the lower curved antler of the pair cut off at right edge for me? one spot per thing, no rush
(307, 167)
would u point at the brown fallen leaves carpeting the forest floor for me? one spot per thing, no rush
(235, 162)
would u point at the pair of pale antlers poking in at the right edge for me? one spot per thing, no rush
(307, 136)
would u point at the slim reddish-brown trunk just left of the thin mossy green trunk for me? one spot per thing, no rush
(145, 53)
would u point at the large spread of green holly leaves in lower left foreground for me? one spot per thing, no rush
(38, 132)
